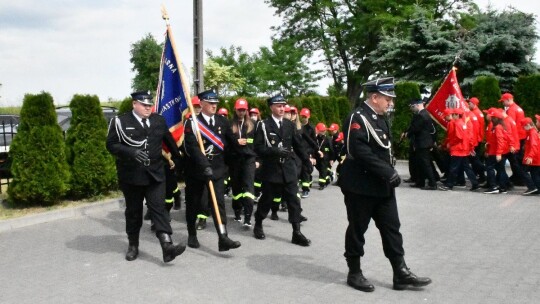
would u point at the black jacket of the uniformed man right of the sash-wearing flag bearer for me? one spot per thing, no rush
(273, 168)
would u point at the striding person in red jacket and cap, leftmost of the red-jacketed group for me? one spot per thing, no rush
(459, 144)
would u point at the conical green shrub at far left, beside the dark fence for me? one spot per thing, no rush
(40, 171)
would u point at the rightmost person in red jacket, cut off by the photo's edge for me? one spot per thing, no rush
(531, 155)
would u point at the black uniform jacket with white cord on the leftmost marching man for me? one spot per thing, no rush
(129, 170)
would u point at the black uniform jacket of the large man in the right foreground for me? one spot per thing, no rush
(368, 166)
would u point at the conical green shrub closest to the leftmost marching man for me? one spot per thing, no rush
(92, 166)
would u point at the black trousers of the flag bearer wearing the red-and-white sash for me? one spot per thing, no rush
(199, 194)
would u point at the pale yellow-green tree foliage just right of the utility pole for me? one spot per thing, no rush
(225, 80)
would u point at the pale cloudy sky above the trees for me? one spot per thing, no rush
(68, 47)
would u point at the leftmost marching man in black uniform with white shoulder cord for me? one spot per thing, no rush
(135, 138)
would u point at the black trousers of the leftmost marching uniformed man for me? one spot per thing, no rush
(155, 201)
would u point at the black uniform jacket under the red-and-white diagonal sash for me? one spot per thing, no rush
(196, 161)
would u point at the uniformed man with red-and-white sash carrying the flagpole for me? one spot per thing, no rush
(216, 135)
